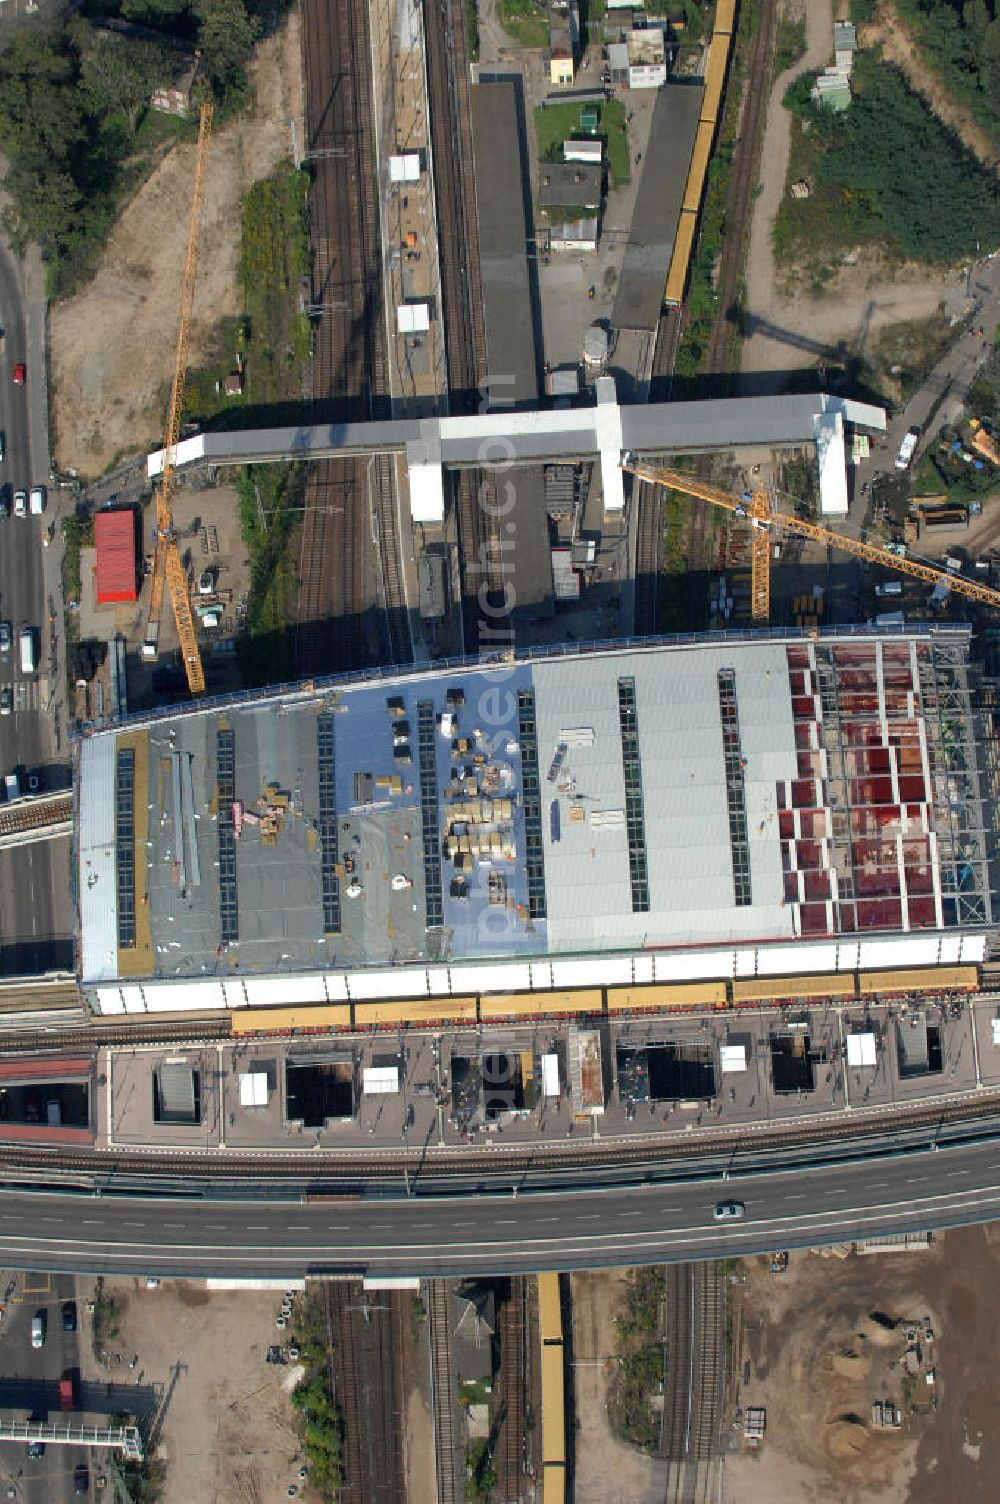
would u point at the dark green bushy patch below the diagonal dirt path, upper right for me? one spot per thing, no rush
(885, 174)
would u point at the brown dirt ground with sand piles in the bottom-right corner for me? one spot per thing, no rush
(817, 1360)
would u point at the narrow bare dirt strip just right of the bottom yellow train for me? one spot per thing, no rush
(608, 1472)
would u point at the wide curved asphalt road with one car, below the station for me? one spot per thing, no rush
(572, 1228)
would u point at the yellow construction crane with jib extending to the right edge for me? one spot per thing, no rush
(768, 523)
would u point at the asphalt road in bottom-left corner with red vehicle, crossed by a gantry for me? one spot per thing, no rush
(29, 1386)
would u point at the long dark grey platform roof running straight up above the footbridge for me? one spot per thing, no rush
(500, 198)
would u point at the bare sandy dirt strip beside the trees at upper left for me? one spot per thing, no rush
(112, 347)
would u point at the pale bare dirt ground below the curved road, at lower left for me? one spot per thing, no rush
(228, 1430)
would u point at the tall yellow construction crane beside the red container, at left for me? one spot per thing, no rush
(168, 557)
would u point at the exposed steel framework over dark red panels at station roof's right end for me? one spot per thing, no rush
(886, 825)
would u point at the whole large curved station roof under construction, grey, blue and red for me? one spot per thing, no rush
(711, 807)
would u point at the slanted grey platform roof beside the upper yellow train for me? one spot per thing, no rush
(658, 207)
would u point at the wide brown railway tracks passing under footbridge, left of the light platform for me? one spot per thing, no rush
(350, 356)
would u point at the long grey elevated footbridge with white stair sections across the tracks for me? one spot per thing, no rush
(542, 437)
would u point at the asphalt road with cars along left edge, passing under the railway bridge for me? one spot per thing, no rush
(35, 906)
